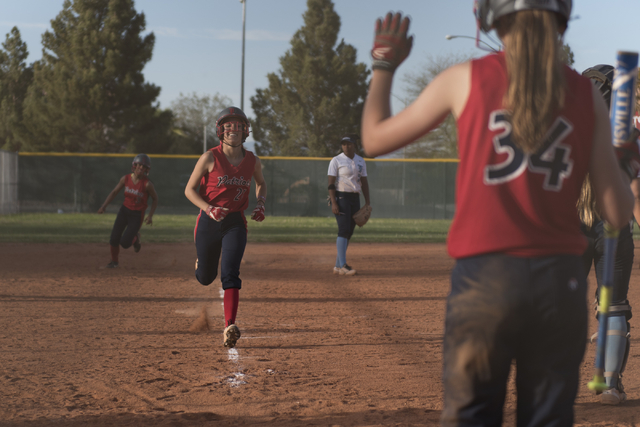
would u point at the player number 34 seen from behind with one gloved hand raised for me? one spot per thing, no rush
(529, 130)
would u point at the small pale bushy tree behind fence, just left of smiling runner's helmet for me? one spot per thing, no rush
(191, 114)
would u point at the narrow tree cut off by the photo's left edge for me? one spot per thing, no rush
(15, 78)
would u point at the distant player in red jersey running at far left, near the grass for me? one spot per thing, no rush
(137, 190)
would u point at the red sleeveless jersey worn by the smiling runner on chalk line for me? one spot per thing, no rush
(227, 186)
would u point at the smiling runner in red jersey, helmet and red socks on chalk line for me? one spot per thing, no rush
(219, 186)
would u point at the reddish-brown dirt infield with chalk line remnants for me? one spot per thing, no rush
(82, 345)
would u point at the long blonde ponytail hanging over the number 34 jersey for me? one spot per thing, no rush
(535, 70)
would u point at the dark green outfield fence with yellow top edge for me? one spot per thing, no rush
(55, 182)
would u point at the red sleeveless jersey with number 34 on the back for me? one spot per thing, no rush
(515, 203)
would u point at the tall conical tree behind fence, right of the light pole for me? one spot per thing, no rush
(316, 96)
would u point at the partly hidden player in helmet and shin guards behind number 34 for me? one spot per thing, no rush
(618, 335)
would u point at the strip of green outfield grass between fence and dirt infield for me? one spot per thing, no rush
(94, 228)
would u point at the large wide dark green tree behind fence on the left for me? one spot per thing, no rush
(89, 93)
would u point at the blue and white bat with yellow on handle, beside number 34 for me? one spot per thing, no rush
(622, 111)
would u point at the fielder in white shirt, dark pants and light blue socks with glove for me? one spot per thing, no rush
(347, 177)
